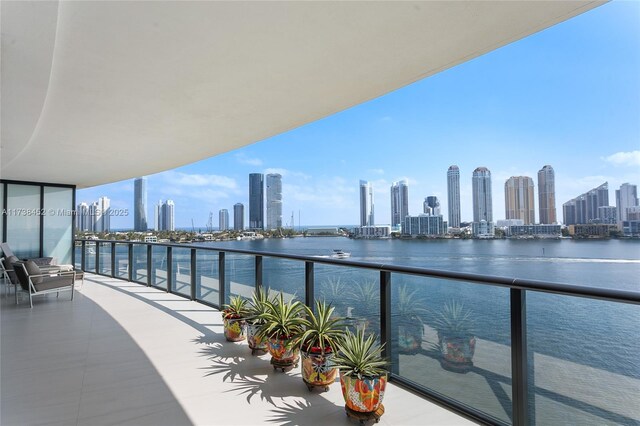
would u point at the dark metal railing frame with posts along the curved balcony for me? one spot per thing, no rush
(523, 413)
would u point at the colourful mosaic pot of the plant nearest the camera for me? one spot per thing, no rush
(364, 396)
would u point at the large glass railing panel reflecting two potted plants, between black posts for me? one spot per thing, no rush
(454, 338)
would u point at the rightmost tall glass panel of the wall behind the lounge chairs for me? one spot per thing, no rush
(58, 224)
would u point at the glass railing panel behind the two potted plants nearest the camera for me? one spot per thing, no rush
(354, 292)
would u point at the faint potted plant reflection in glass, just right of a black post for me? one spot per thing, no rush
(408, 312)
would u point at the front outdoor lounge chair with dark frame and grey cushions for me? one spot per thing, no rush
(36, 282)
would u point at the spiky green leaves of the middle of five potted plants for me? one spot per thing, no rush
(281, 319)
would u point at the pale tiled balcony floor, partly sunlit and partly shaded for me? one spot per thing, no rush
(122, 353)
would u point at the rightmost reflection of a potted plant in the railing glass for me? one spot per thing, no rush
(456, 340)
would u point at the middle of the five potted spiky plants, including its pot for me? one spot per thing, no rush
(282, 323)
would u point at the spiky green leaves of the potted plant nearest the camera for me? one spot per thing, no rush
(360, 356)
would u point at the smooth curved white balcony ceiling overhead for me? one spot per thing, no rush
(99, 91)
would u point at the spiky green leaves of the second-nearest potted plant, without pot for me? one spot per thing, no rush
(322, 329)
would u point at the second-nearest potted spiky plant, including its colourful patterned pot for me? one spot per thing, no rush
(318, 345)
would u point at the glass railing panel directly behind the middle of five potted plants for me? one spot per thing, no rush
(284, 275)
